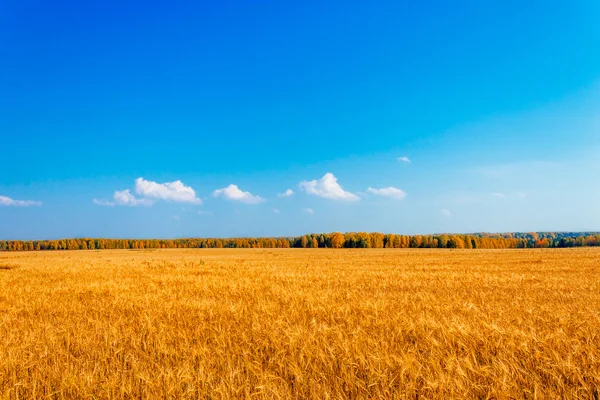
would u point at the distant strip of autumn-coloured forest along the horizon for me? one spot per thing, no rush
(327, 240)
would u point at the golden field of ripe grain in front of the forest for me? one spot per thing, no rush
(301, 324)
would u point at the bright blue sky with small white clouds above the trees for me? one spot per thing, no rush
(133, 119)
